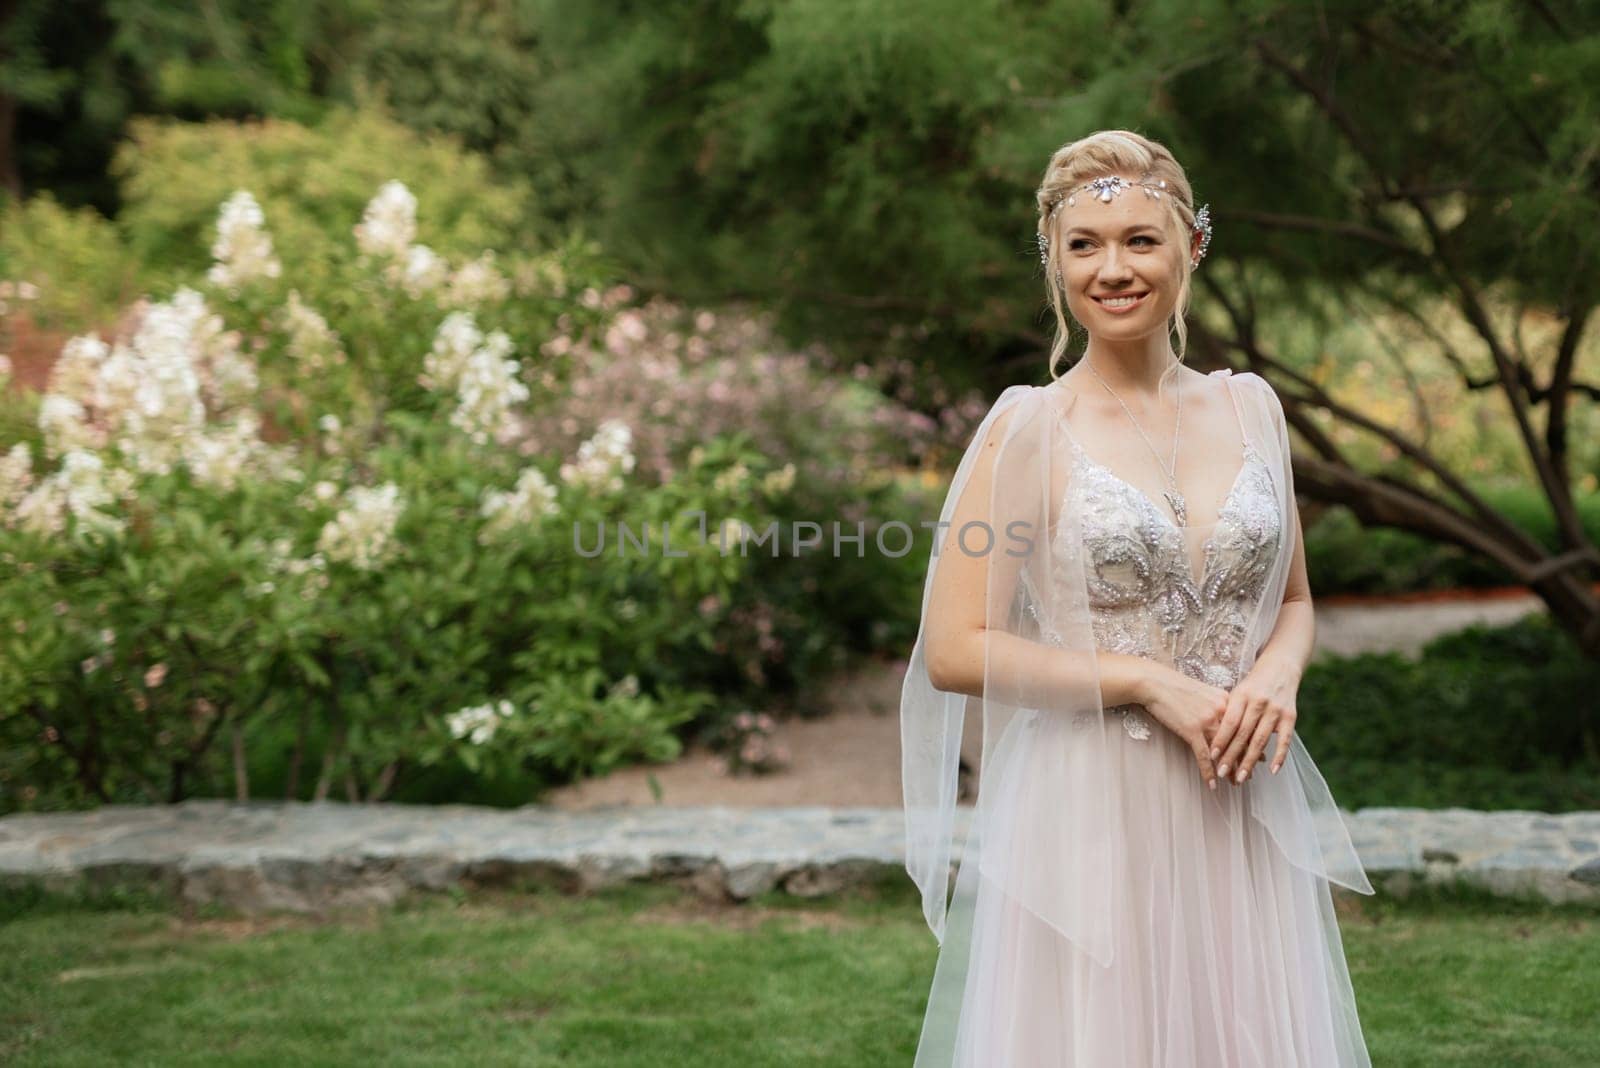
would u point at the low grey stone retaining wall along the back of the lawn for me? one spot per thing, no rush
(318, 856)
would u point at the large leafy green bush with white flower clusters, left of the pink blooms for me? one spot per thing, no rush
(318, 520)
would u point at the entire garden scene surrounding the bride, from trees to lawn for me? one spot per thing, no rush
(334, 330)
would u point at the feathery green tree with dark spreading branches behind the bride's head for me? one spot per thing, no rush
(870, 172)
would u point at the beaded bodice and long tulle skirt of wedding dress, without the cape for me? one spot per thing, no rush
(1215, 949)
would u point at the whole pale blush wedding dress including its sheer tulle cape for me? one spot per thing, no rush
(1111, 911)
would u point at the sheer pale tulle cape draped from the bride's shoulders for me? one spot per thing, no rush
(1066, 866)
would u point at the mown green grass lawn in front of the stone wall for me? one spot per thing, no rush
(654, 978)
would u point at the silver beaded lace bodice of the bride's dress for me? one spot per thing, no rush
(1143, 596)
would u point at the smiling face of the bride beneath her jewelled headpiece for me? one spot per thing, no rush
(1116, 250)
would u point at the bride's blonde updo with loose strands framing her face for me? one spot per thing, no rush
(1103, 154)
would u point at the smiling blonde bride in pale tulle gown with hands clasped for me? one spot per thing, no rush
(1119, 594)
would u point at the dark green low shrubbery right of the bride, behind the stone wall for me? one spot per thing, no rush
(1486, 719)
